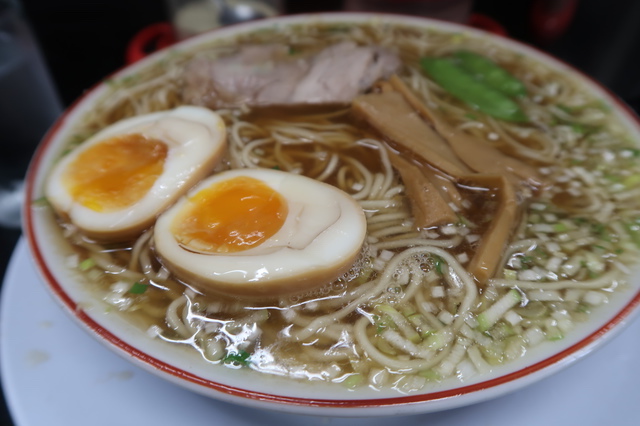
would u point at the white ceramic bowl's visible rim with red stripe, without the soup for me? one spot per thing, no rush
(247, 387)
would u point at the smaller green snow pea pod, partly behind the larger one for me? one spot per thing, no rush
(484, 69)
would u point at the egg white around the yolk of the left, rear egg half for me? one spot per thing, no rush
(196, 141)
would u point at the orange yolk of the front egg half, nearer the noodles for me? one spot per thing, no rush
(230, 216)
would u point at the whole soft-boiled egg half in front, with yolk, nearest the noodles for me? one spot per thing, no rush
(260, 233)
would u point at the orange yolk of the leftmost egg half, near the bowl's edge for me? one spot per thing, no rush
(115, 173)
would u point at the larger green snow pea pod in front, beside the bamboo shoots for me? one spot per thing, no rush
(475, 93)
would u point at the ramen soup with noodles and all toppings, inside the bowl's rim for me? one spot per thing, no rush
(368, 205)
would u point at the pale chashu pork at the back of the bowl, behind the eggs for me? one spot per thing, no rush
(260, 75)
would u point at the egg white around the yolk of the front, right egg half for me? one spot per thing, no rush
(319, 241)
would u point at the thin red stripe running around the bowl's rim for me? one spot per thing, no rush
(583, 345)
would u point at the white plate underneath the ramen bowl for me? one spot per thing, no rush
(54, 373)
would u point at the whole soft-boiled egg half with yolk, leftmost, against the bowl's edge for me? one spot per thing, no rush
(116, 183)
